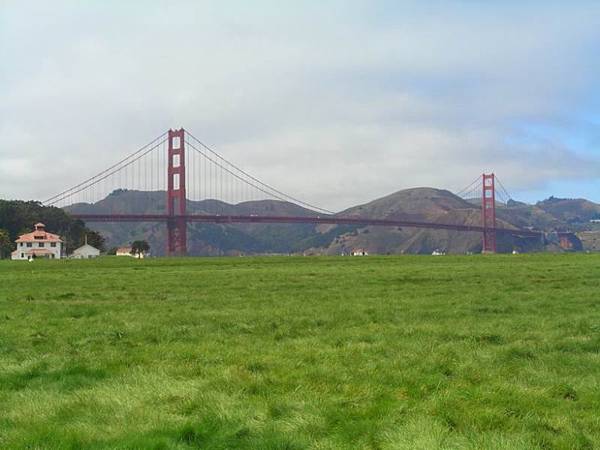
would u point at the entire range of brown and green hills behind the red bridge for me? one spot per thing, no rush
(418, 204)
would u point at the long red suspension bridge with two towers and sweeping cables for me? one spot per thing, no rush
(185, 168)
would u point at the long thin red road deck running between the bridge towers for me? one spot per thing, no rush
(325, 220)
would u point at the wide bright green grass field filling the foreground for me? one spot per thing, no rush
(477, 352)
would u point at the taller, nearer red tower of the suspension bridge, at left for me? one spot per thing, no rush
(176, 195)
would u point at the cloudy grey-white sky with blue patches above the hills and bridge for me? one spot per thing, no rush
(335, 102)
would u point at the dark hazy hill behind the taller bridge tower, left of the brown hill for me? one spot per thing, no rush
(203, 239)
